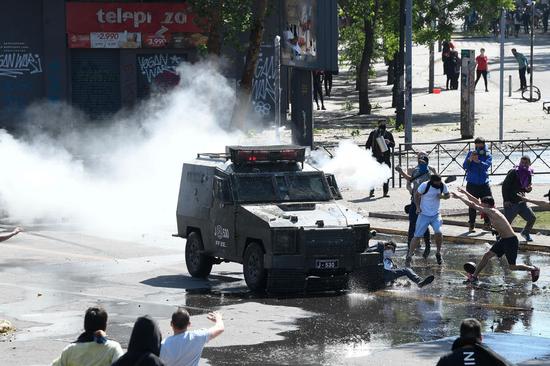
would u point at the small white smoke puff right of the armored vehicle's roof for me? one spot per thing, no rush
(354, 167)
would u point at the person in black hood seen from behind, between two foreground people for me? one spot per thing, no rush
(144, 345)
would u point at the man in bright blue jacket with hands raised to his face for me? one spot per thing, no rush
(477, 164)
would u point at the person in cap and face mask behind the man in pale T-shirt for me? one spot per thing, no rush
(415, 177)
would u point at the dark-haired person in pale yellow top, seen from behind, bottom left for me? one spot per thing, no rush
(92, 348)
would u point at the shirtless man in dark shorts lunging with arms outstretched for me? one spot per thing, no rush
(508, 242)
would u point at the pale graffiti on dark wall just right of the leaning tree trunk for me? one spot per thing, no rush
(263, 85)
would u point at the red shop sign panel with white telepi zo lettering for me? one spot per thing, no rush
(150, 18)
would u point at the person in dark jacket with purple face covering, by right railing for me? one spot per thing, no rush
(518, 181)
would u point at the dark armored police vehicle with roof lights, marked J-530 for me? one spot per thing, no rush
(265, 208)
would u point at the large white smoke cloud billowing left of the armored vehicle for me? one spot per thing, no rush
(122, 174)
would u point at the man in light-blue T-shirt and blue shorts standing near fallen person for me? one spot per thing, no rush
(428, 201)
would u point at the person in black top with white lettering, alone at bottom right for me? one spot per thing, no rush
(468, 349)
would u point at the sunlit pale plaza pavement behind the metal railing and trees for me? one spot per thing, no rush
(436, 117)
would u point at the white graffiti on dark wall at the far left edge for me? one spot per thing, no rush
(16, 59)
